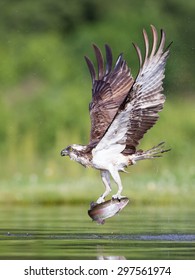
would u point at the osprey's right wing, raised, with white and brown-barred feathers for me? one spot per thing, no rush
(139, 111)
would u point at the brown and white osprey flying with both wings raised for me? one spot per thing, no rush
(121, 111)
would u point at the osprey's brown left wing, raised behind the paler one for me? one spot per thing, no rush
(110, 88)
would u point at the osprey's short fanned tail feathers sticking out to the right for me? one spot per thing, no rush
(154, 152)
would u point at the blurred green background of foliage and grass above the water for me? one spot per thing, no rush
(45, 88)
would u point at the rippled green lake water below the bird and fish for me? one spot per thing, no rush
(67, 232)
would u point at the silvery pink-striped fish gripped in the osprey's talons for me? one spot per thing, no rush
(107, 209)
